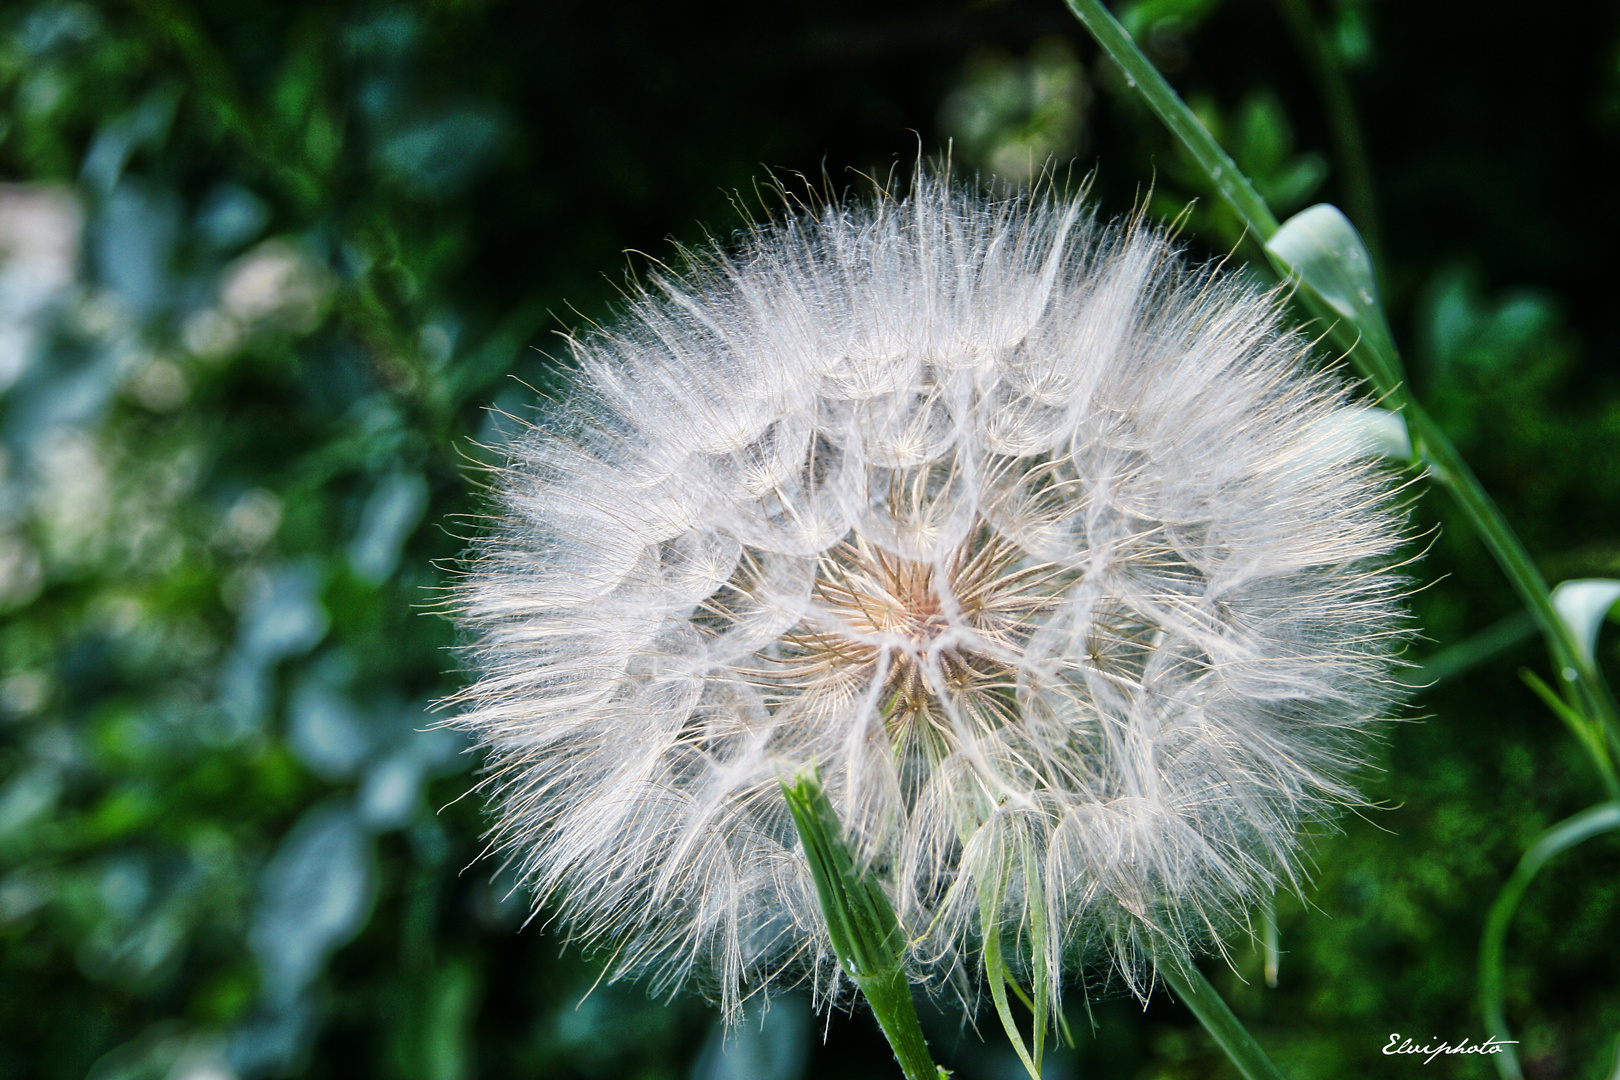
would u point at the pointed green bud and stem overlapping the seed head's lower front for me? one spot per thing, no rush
(868, 938)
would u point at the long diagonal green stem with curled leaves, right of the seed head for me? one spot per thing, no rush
(1368, 351)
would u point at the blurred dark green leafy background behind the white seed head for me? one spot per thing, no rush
(276, 278)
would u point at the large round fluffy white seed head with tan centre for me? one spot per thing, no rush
(1038, 542)
